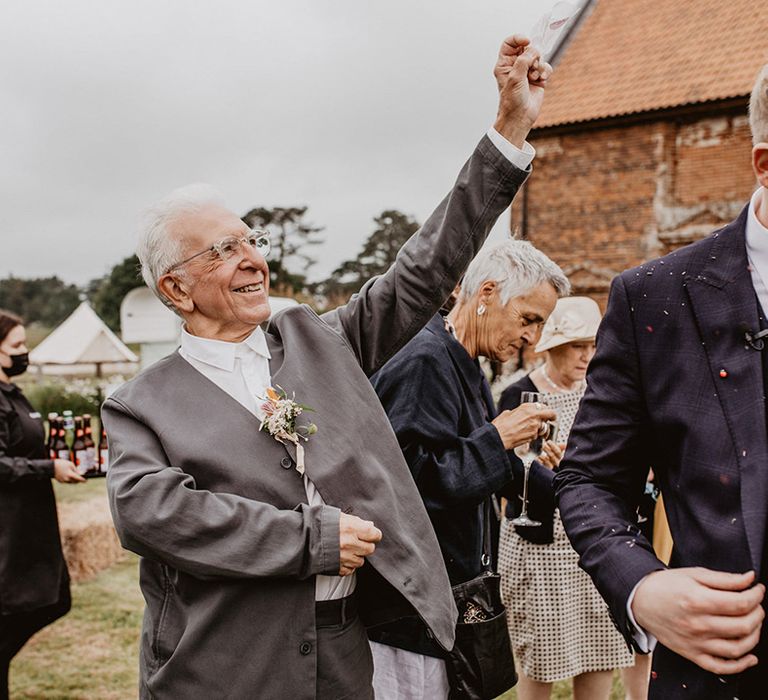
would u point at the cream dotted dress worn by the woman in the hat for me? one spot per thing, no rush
(558, 623)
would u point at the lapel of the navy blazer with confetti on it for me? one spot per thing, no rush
(724, 304)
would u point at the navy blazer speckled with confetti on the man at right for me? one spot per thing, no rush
(673, 385)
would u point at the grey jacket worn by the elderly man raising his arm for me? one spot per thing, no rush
(215, 508)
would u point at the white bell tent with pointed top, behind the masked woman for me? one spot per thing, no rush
(82, 343)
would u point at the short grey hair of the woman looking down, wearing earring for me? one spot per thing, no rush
(516, 267)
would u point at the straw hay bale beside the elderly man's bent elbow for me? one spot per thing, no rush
(88, 537)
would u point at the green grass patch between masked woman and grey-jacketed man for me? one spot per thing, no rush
(92, 653)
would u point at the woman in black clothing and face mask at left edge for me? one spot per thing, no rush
(34, 583)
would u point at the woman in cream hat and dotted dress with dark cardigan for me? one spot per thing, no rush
(558, 623)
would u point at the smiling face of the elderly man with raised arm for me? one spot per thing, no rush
(224, 300)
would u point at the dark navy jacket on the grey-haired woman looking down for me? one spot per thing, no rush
(440, 407)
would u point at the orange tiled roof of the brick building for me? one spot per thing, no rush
(631, 56)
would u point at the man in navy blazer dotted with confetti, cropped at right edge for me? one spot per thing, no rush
(679, 384)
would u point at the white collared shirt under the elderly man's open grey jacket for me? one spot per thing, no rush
(242, 371)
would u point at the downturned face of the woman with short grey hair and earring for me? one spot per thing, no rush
(508, 328)
